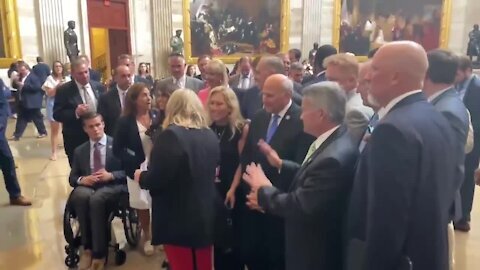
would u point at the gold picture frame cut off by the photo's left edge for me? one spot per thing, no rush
(11, 33)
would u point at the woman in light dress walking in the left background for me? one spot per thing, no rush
(56, 79)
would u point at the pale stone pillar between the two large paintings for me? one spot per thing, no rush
(312, 24)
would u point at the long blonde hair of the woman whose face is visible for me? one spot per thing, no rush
(235, 119)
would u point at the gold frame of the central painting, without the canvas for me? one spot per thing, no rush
(231, 59)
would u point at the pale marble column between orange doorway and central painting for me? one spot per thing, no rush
(162, 31)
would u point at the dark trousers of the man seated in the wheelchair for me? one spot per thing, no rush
(92, 207)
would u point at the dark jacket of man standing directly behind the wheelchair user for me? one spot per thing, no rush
(110, 108)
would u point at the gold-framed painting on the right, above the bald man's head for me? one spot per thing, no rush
(363, 25)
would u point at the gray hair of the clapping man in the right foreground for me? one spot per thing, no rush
(329, 97)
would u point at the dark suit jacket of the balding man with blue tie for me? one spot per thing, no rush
(260, 231)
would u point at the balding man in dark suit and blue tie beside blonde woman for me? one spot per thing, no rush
(279, 124)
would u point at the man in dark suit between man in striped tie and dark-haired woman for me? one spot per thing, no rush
(111, 104)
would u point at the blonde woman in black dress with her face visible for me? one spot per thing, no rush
(231, 129)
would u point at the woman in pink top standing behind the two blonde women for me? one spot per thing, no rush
(216, 74)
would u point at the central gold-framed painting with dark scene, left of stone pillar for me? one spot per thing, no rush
(228, 29)
